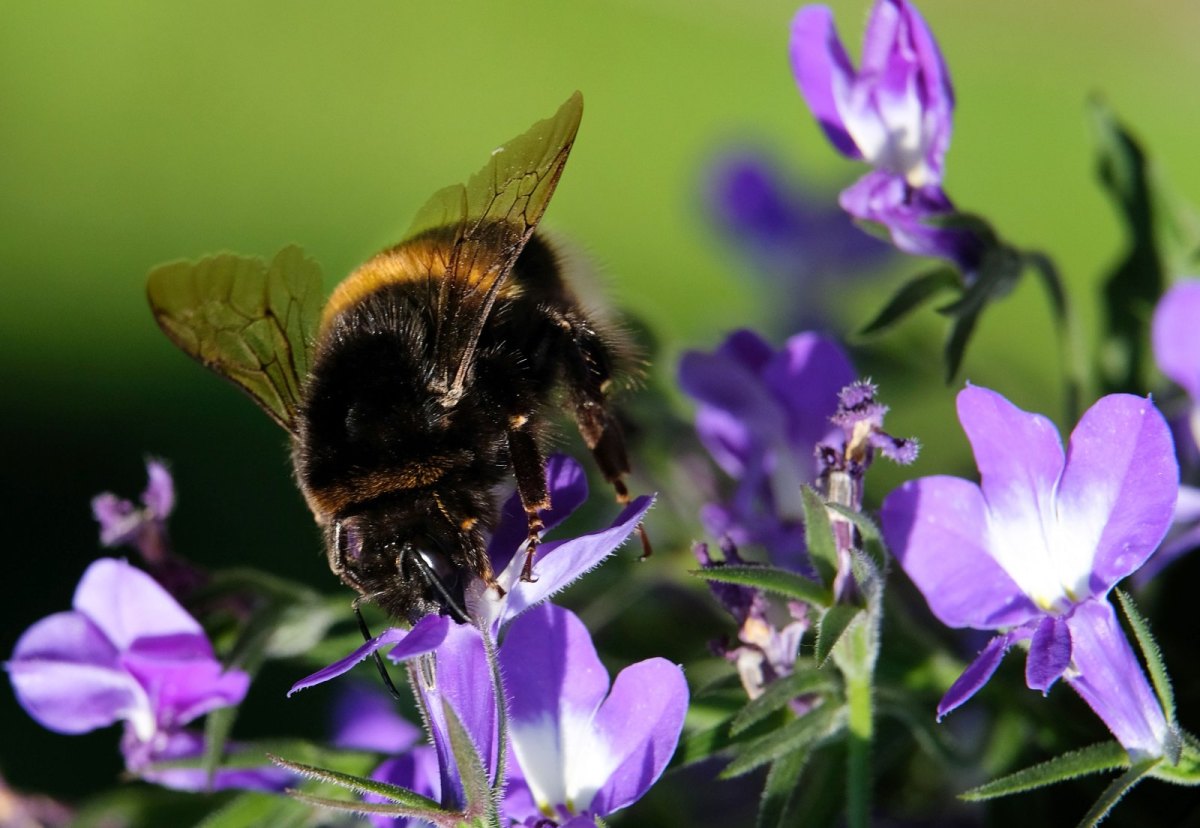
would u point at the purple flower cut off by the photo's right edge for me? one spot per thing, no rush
(1177, 343)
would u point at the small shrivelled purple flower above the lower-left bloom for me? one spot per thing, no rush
(145, 529)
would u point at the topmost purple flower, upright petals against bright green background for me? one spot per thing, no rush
(895, 113)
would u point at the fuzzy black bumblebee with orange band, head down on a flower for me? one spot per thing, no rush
(424, 381)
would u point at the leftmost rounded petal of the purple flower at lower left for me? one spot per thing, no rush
(67, 676)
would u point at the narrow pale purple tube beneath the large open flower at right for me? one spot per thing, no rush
(1111, 680)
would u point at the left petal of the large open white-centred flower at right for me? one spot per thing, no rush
(937, 527)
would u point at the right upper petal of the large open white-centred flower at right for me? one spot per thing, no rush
(1119, 490)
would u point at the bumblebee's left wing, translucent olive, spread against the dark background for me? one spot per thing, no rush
(250, 321)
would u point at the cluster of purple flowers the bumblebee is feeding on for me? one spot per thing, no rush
(579, 748)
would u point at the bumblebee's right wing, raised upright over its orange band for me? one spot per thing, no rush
(488, 224)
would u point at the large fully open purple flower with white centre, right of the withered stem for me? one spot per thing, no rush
(1034, 550)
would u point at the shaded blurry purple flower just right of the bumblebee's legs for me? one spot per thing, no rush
(761, 415)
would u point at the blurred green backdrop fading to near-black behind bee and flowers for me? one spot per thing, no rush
(134, 134)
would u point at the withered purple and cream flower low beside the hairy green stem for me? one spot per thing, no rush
(767, 643)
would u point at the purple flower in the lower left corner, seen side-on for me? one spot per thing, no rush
(128, 652)
